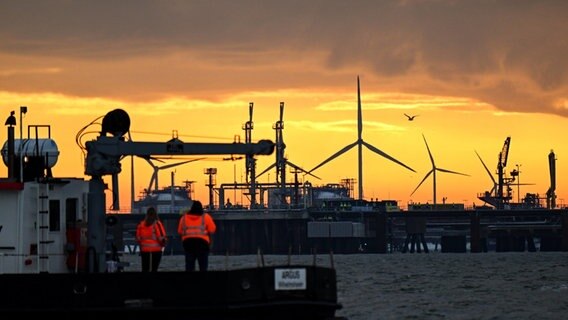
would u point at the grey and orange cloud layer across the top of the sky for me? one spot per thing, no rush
(510, 53)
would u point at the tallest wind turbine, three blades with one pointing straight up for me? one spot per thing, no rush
(360, 143)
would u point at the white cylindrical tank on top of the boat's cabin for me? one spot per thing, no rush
(33, 148)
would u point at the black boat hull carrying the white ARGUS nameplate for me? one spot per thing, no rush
(230, 294)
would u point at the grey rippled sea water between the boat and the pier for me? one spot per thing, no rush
(498, 285)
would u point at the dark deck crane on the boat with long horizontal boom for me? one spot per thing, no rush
(105, 153)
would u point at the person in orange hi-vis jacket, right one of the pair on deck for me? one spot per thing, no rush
(195, 228)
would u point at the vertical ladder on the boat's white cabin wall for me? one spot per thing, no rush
(43, 227)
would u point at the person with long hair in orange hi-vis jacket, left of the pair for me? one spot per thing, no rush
(151, 237)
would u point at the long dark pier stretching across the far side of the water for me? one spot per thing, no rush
(303, 231)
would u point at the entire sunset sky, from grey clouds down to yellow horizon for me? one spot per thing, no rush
(475, 72)
